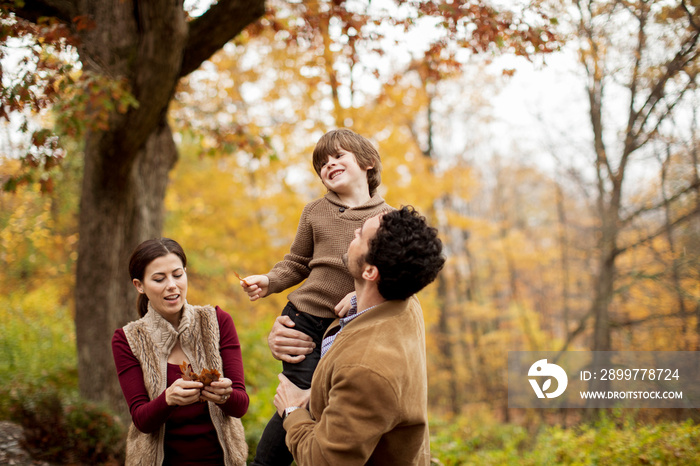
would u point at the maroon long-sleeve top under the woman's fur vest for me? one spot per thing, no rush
(189, 432)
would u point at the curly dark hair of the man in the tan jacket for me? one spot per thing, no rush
(406, 251)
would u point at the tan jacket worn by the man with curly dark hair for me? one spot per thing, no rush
(369, 394)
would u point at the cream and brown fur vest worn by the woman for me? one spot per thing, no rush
(151, 339)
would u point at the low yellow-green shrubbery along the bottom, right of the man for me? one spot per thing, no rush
(616, 440)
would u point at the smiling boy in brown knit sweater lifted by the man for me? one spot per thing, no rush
(350, 168)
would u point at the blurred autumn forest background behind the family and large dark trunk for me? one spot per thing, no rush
(570, 226)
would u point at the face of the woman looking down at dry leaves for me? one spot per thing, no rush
(165, 284)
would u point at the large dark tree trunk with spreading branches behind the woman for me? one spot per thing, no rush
(150, 46)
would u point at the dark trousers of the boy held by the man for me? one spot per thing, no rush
(272, 450)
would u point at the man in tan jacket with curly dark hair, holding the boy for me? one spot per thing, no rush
(368, 397)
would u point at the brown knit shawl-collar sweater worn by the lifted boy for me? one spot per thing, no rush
(325, 231)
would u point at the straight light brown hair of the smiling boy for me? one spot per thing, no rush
(365, 154)
